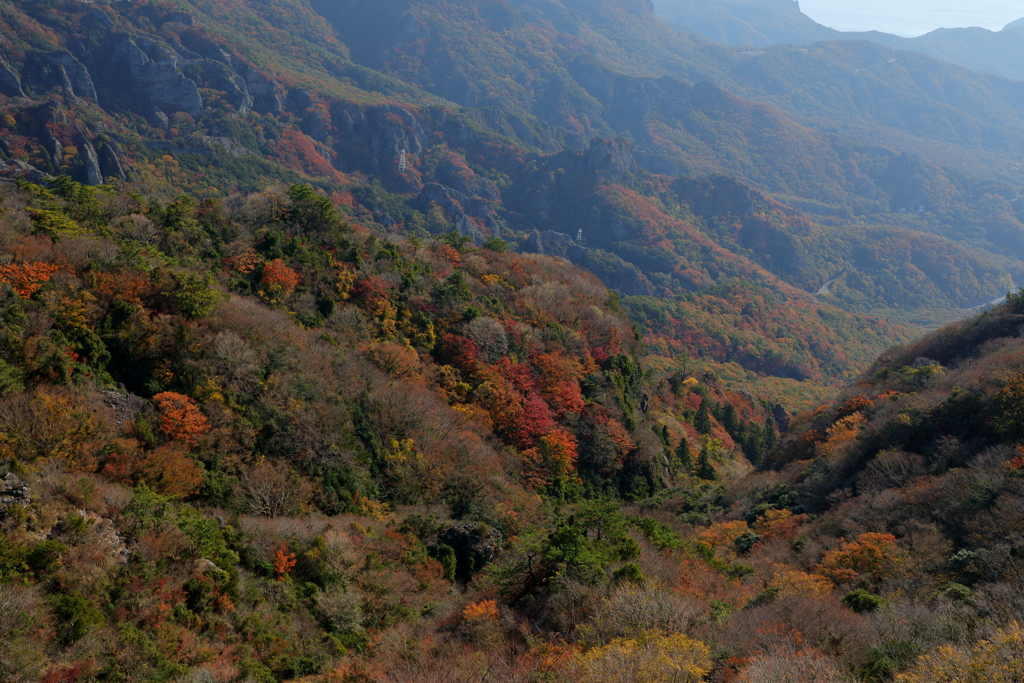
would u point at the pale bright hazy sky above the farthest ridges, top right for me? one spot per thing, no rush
(912, 18)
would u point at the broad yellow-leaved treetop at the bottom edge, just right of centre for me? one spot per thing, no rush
(652, 660)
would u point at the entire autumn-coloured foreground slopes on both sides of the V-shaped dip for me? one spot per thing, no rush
(246, 441)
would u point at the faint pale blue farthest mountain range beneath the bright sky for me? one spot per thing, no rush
(764, 23)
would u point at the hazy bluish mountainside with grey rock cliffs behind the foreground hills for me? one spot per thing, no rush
(400, 110)
